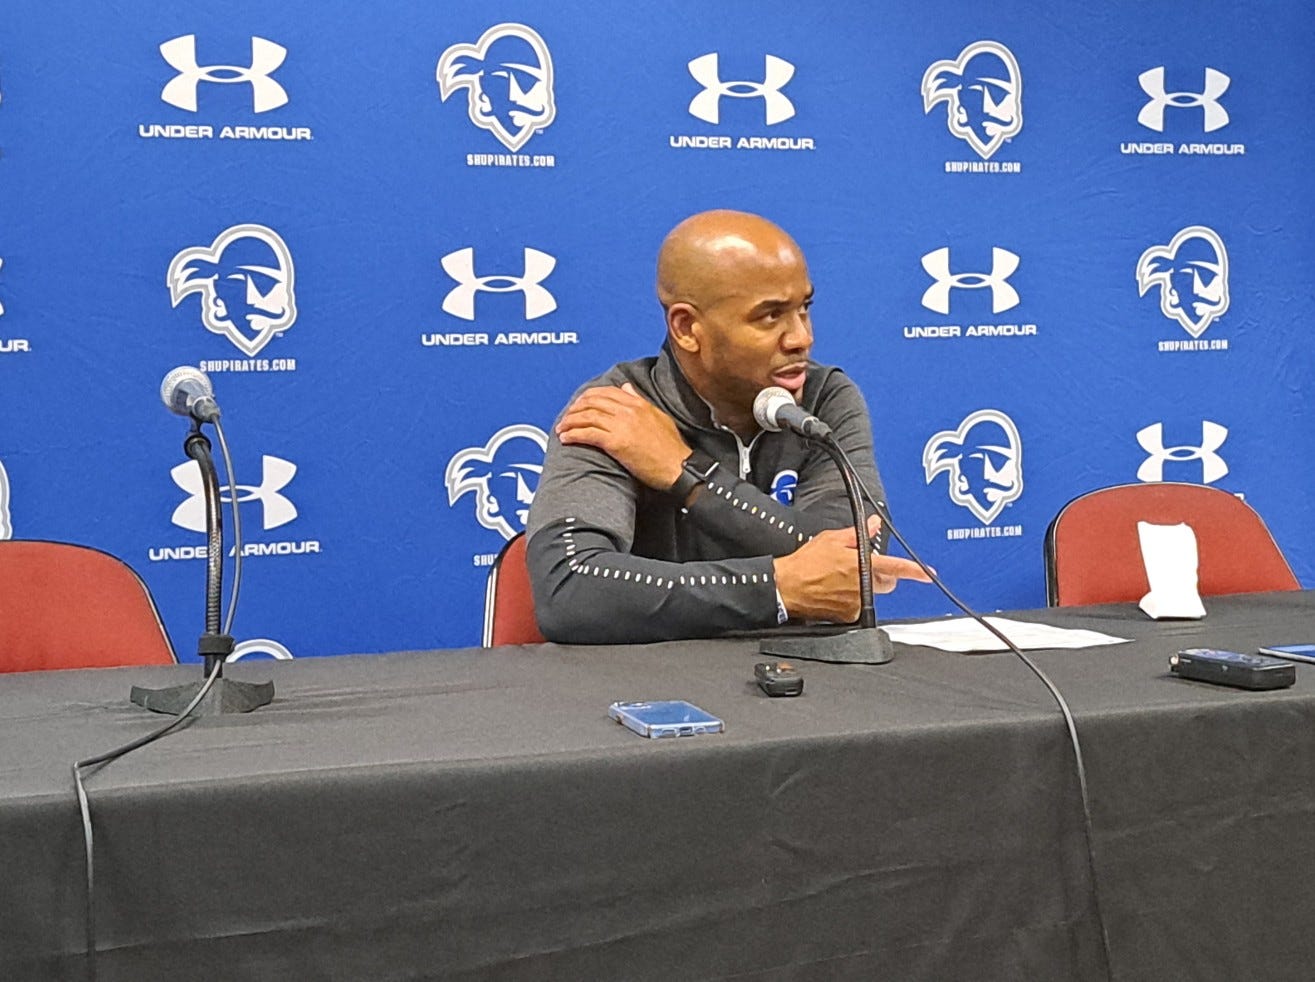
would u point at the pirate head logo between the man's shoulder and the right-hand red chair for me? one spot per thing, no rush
(983, 459)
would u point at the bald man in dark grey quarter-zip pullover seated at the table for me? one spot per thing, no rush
(653, 520)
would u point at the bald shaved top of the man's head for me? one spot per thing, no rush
(707, 257)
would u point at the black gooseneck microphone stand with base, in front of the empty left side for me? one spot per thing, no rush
(226, 695)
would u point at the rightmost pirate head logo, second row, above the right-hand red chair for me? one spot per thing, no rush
(1192, 274)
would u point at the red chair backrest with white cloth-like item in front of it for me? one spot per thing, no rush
(1093, 554)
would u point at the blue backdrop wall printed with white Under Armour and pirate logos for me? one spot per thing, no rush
(1058, 248)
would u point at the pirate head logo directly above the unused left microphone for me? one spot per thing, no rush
(245, 281)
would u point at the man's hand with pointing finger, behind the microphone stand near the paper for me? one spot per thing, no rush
(820, 582)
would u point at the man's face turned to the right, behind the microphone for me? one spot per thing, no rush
(758, 335)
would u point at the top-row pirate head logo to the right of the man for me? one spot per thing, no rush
(983, 91)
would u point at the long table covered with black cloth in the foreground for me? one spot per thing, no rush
(475, 814)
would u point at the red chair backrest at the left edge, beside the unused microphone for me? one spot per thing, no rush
(73, 607)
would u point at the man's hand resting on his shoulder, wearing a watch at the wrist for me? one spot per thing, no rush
(631, 431)
